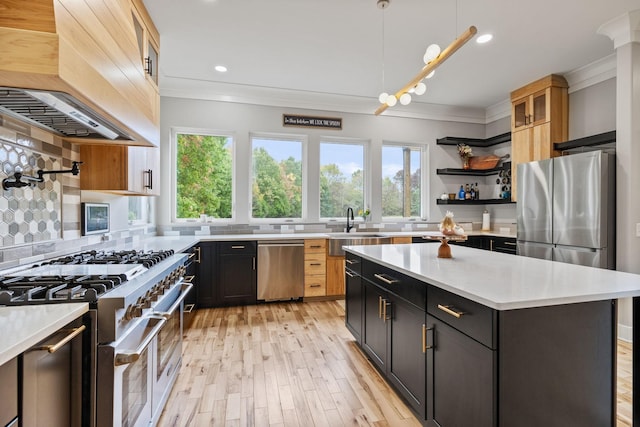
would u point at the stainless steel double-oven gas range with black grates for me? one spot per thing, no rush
(132, 340)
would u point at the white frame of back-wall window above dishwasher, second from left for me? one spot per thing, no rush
(304, 141)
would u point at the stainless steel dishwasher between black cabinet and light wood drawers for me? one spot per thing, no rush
(280, 270)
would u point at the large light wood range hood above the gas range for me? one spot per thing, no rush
(89, 51)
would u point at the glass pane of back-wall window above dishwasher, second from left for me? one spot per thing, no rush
(276, 177)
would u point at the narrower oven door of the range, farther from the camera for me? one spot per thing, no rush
(168, 356)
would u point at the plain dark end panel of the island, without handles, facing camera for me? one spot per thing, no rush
(557, 365)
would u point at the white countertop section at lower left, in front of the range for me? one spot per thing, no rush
(23, 327)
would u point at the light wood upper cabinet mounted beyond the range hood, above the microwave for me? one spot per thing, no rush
(131, 171)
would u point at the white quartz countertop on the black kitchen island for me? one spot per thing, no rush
(502, 281)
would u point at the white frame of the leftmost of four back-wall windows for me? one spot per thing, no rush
(174, 173)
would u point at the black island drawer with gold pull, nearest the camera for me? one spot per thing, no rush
(473, 319)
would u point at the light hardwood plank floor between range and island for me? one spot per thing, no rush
(294, 364)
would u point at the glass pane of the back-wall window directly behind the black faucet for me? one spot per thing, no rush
(342, 178)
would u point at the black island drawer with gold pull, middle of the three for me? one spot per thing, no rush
(405, 287)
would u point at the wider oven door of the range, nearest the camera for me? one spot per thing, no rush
(125, 376)
